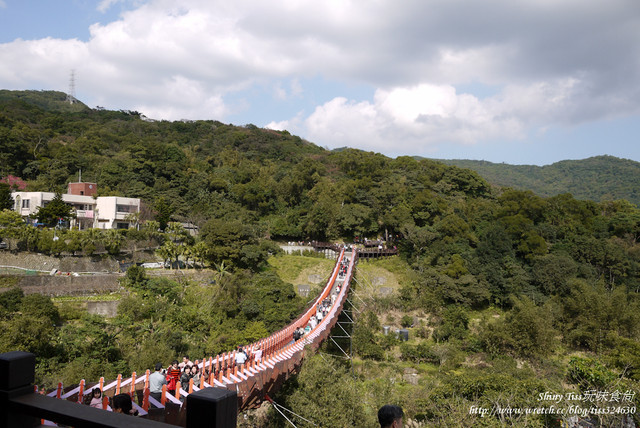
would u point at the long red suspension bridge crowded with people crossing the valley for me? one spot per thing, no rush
(252, 381)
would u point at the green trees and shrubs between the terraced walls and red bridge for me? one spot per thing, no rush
(158, 319)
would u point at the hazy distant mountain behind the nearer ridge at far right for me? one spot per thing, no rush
(598, 178)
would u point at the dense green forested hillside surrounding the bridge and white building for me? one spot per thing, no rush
(506, 294)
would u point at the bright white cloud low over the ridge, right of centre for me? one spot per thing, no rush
(419, 119)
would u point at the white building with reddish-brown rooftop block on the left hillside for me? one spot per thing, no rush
(102, 212)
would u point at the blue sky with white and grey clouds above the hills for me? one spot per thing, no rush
(526, 82)
